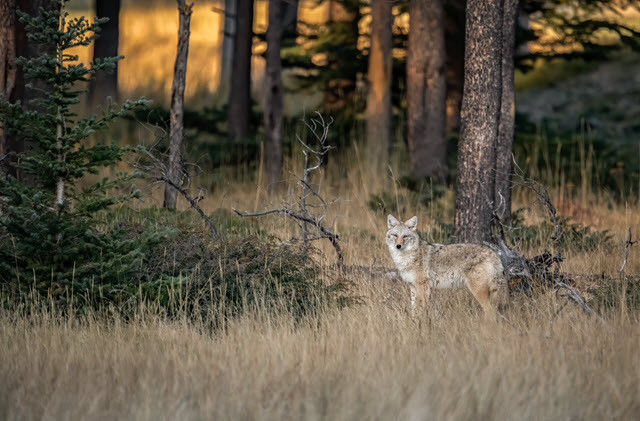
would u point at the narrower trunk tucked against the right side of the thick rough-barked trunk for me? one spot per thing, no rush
(506, 128)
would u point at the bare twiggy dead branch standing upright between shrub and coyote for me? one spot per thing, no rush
(309, 209)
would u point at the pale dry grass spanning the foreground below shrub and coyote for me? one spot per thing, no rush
(372, 361)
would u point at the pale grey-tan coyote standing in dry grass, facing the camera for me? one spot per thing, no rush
(425, 266)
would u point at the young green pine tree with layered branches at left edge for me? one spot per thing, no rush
(51, 233)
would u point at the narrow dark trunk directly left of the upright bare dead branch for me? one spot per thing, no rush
(273, 96)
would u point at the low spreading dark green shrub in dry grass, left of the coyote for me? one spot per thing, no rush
(193, 272)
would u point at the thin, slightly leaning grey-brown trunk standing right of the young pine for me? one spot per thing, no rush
(176, 131)
